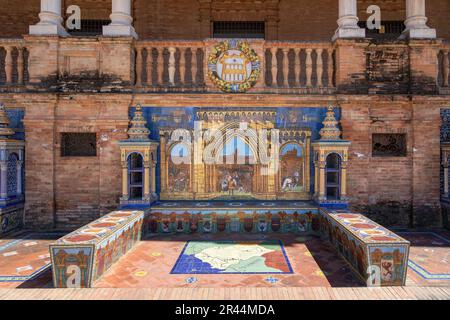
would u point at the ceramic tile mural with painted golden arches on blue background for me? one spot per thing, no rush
(225, 181)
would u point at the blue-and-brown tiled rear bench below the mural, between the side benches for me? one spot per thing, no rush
(232, 217)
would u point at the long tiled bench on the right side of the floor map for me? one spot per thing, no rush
(367, 247)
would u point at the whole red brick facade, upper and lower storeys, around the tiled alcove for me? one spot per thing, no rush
(70, 192)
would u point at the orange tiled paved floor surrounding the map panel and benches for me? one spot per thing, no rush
(317, 270)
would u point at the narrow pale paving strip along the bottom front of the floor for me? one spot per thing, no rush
(312, 293)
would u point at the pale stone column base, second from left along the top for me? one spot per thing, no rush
(121, 20)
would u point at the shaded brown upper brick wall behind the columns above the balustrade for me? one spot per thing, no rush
(175, 19)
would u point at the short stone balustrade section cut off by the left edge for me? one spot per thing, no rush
(13, 62)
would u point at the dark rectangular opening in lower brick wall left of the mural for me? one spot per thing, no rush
(78, 145)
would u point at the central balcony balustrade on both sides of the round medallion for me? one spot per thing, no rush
(286, 67)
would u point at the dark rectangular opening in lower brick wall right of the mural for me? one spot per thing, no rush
(388, 145)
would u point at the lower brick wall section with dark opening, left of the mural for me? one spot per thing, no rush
(68, 192)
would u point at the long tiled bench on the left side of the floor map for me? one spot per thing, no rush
(81, 257)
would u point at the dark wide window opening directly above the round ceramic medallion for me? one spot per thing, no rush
(239, 29)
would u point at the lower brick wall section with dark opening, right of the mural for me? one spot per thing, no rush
(398, 191)
